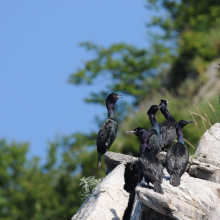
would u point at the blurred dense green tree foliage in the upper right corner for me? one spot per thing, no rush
(194, 27)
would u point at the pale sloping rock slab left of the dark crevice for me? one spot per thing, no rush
(108, 201)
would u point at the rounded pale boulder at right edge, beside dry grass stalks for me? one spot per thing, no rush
(208, 150)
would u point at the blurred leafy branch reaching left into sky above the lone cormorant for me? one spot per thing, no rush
(127, 68)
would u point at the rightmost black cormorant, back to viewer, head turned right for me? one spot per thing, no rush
(177, 157)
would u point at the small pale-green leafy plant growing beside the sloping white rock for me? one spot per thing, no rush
(88, 185)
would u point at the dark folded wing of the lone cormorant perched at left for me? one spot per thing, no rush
(103, 135)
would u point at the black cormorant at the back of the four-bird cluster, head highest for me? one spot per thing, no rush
(168, 127)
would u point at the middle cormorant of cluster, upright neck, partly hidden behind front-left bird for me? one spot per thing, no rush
(155, 137)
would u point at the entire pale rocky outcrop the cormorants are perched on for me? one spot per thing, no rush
(197, 198)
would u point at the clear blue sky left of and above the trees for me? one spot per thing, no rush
(39, 49)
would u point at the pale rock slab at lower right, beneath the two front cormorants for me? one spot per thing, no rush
(194, 199)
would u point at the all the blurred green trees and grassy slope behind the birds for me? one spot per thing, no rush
(174, 67)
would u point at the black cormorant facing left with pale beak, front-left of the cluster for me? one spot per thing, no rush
(149, 165)
